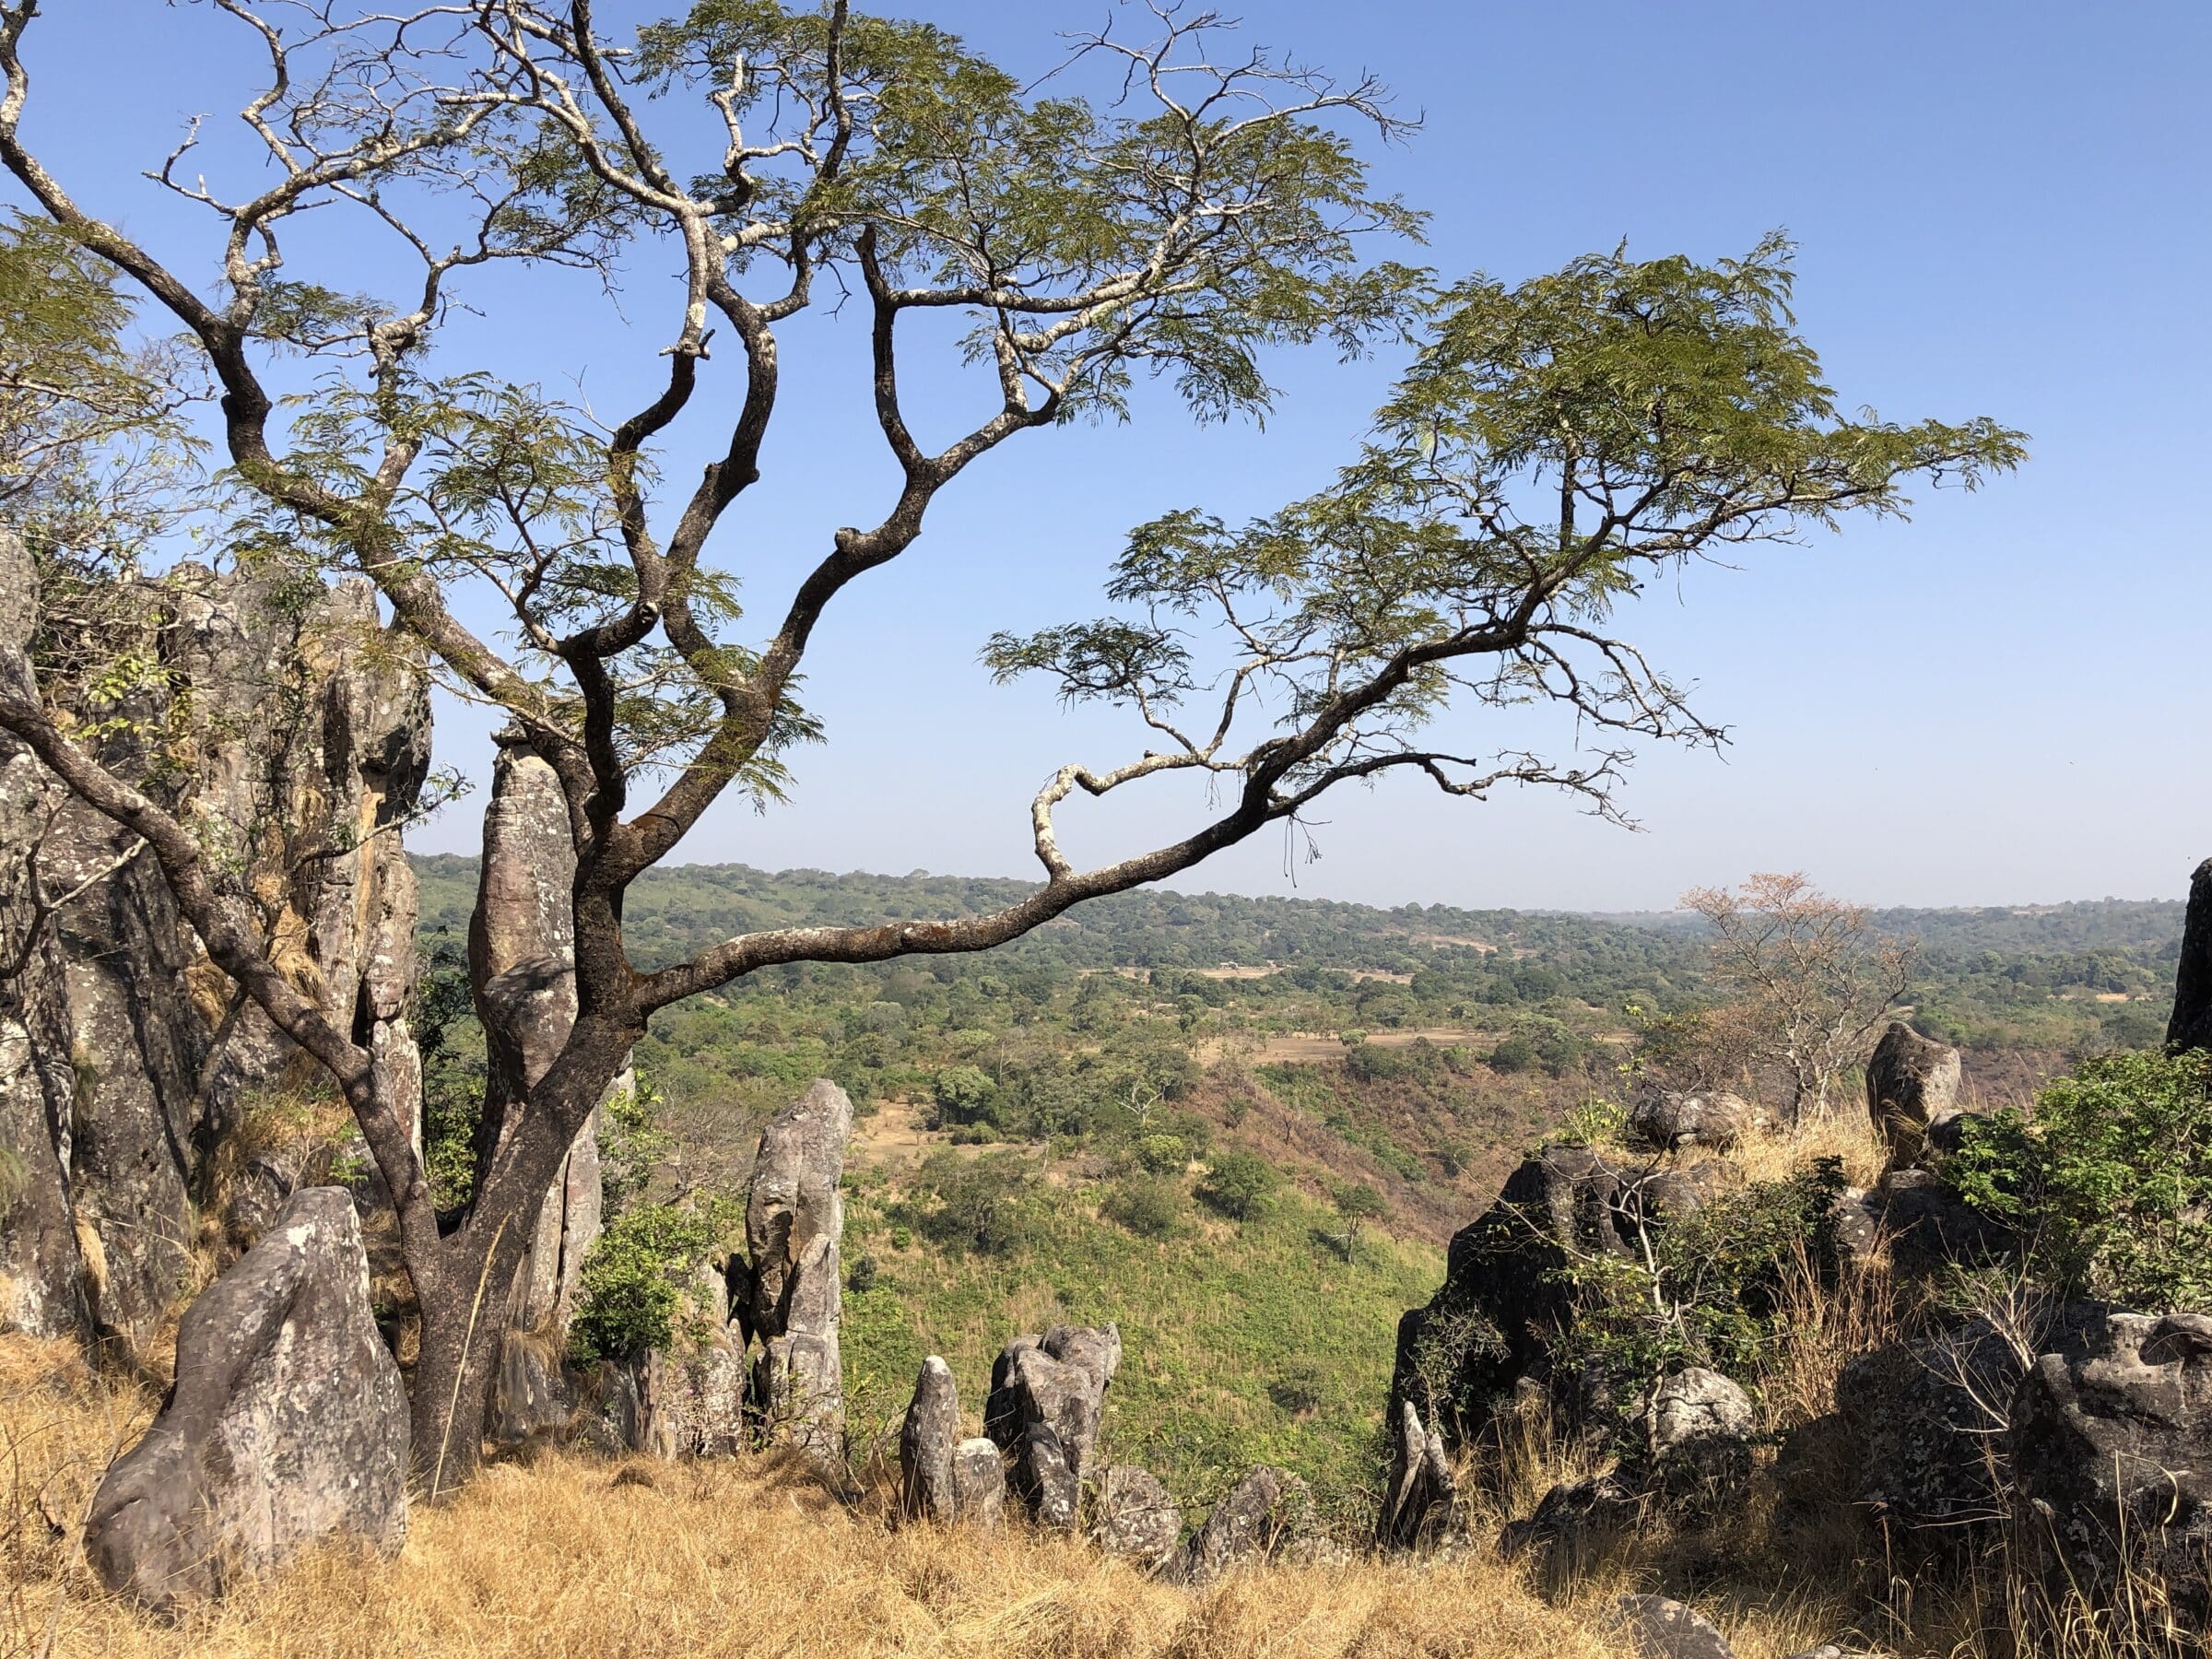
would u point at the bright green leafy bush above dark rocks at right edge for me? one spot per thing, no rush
(2109, 1182)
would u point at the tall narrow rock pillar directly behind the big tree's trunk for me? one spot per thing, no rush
(523, 961)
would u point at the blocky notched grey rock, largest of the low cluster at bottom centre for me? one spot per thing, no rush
(1047, 1395)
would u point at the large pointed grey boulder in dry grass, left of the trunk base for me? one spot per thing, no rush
(286, 1423)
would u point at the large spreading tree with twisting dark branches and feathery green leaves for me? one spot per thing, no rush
(1550, 450)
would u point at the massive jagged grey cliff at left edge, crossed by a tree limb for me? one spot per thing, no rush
(298, 740)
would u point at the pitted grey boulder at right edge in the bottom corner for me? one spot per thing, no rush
(2109, 1452)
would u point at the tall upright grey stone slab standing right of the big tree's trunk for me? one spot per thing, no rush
(793, 1224)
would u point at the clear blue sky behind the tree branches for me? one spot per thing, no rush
(2003, 209)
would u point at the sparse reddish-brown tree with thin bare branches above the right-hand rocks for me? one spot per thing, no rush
(1808, 974)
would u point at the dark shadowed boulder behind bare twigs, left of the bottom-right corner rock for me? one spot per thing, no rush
(1928, 1426)
